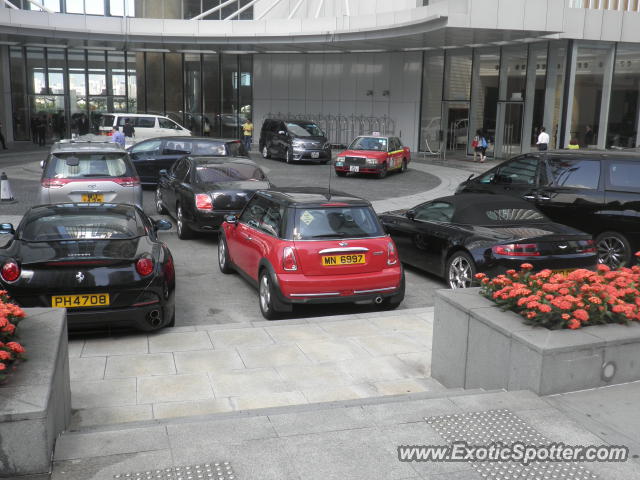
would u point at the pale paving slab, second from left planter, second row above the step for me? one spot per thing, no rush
(174, 388)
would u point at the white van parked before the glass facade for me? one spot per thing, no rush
(145, 125)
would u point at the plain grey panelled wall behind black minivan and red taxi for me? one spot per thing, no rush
(337, 84)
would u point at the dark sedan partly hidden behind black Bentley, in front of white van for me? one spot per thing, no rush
(155, 154)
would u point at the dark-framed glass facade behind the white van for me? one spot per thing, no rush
(69, 90)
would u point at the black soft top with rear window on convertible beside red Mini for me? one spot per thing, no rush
(497, 214)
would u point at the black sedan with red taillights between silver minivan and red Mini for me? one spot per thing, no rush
(199, 192)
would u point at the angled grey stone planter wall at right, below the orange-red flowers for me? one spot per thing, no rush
(477, 345)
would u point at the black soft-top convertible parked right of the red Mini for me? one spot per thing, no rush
(458, 236)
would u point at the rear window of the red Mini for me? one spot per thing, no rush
(336, 222)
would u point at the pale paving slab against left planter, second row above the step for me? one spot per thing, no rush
(103, 393)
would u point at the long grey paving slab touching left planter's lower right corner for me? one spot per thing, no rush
(101, 444)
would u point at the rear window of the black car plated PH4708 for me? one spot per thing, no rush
(81, 226)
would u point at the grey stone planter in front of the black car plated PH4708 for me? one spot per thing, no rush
(35, 402)
